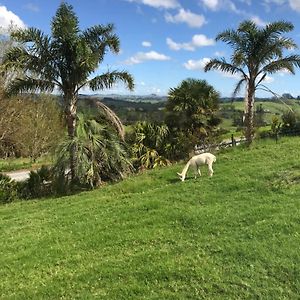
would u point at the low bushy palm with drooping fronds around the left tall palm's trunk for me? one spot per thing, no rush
(101, 155)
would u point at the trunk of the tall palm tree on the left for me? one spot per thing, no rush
(71, 114)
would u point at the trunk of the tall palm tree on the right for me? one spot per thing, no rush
(249, 133)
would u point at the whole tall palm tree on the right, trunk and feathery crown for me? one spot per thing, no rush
(257, 52)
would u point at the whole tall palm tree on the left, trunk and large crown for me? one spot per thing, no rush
(66, 60)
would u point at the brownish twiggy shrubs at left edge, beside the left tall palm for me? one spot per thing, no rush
(30, 126)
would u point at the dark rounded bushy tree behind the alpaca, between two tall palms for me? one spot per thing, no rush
(191, 110)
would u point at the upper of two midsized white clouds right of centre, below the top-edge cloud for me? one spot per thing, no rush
(186, 16)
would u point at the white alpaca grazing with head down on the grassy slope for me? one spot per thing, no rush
(196, 161)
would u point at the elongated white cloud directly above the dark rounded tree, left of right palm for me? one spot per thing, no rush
(198, 40)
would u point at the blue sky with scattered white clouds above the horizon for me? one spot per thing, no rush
(166, 41)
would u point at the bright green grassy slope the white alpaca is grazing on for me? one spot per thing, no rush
(233, 236)
